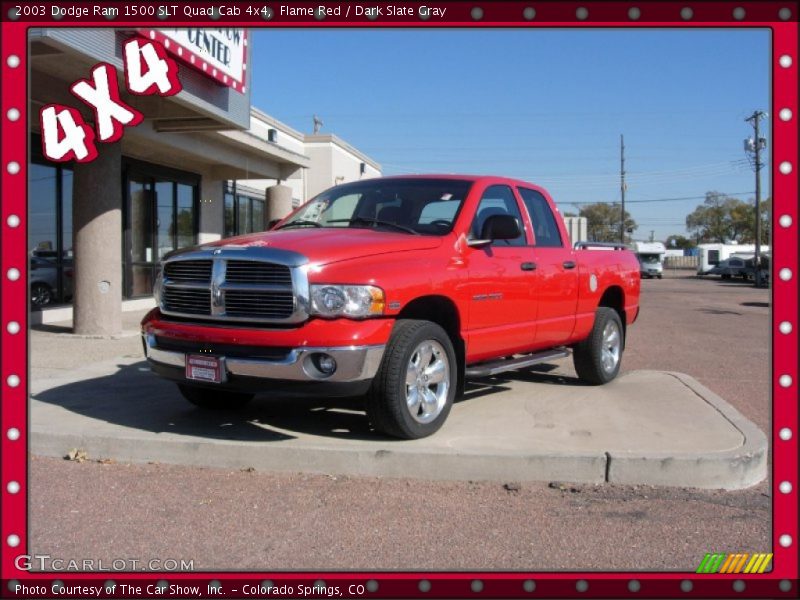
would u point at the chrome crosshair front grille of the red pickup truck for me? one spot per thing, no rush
(235, 285)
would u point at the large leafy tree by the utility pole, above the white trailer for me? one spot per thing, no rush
(725, 219)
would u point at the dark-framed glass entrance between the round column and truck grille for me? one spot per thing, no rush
(161, 215)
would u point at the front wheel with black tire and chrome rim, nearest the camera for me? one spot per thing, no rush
(416, 384)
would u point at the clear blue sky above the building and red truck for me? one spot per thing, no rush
(544, 105)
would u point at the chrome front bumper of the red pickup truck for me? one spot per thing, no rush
(353, 363)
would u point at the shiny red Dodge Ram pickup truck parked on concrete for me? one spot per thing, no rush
(397, 289)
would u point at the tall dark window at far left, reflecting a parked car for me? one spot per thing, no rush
(50, 230)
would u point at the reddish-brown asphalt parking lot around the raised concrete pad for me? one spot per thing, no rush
(243, 519)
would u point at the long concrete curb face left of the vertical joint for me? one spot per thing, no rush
(327, 460)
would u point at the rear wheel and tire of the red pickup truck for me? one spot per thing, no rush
(597, 359)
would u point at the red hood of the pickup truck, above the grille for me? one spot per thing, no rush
(329, 245)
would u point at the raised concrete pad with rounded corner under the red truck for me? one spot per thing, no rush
(647, 427)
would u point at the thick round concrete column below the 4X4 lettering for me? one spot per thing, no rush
(97, 243)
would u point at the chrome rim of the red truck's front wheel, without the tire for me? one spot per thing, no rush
(427, 381)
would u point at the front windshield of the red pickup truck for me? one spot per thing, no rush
(412, 206)
